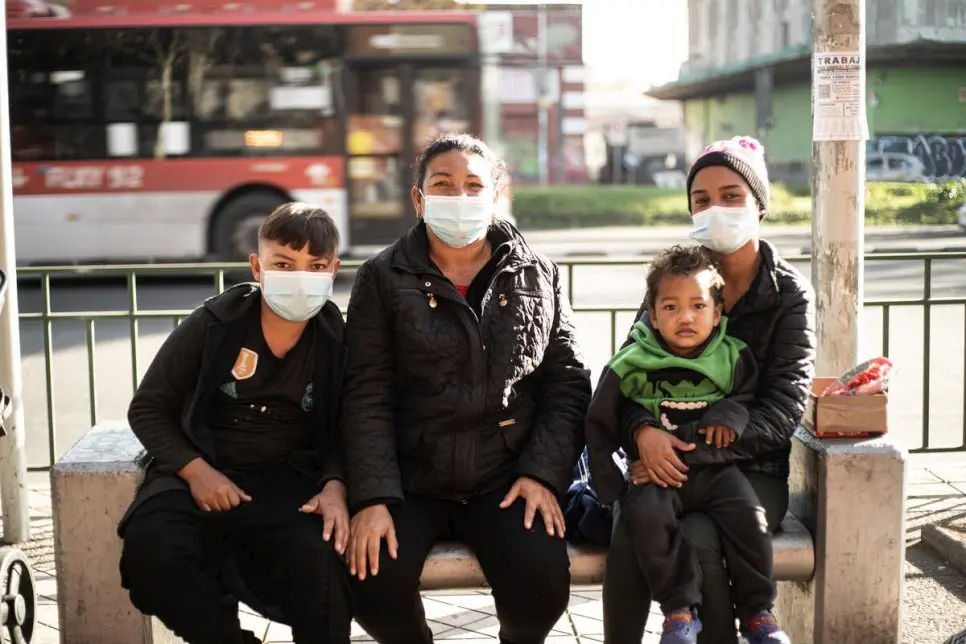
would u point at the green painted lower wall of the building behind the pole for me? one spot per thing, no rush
(910, 101)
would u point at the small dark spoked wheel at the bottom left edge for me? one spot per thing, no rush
(18, 604)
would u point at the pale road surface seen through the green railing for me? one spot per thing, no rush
(592, 286)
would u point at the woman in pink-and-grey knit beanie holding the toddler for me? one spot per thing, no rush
(770, 307)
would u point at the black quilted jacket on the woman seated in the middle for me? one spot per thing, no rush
(440, 402)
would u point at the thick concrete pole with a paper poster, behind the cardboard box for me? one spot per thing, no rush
(838, 180)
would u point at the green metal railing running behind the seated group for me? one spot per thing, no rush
(571, 267)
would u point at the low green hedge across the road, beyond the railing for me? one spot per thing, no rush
(550, 207)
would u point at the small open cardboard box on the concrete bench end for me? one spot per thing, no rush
(845, 416)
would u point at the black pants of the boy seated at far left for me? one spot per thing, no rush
(175, 555)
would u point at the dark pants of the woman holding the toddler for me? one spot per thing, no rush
(627, 595)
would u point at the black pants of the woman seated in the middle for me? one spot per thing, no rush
(528, 570)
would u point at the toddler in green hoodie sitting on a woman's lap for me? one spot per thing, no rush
(694, 379)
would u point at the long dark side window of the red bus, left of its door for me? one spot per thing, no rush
(175, 91)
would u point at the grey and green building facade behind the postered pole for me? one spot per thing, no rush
(749, 72)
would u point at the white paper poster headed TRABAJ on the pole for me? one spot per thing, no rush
(838, 97)
